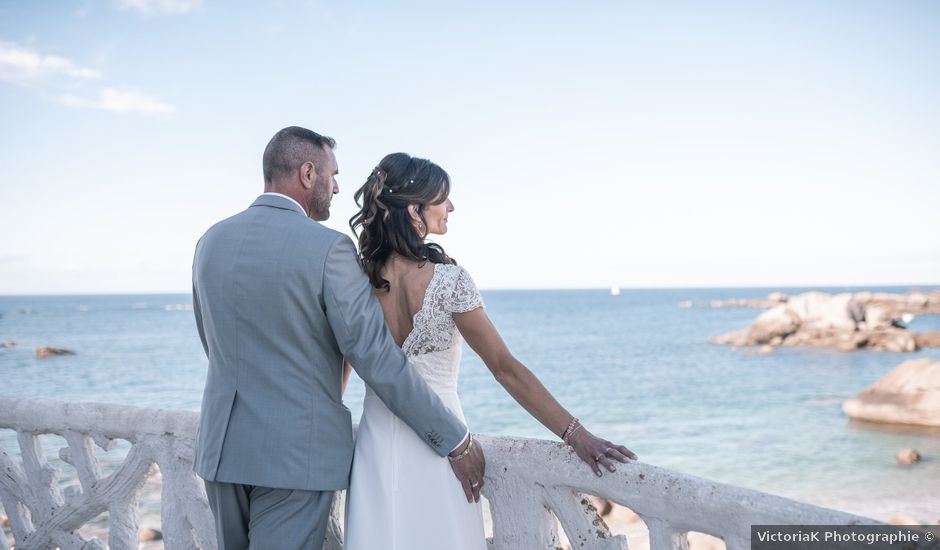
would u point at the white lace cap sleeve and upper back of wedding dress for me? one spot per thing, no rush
(450, 291)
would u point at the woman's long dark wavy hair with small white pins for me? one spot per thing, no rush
(383, 224)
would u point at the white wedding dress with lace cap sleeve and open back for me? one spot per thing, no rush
(402, 495)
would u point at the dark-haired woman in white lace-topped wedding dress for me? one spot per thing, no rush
(403, 496)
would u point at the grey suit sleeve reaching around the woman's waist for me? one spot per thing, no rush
(356, 318)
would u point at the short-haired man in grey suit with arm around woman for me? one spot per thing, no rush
(279, 301)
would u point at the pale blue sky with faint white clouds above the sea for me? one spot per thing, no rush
(590, 144)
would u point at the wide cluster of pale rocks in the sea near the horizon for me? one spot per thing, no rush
(846, 322)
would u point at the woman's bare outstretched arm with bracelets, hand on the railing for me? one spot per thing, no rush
(528, 391)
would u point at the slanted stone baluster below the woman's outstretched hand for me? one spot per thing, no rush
(581, 522)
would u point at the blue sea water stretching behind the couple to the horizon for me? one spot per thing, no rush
(636, 368)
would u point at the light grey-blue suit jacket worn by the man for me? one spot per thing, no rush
(279, 300)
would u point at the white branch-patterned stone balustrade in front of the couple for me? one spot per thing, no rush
(529, 483)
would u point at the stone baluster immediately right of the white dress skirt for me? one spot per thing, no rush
(521, 518)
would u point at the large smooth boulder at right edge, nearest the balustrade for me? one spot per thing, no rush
(909, 394)
